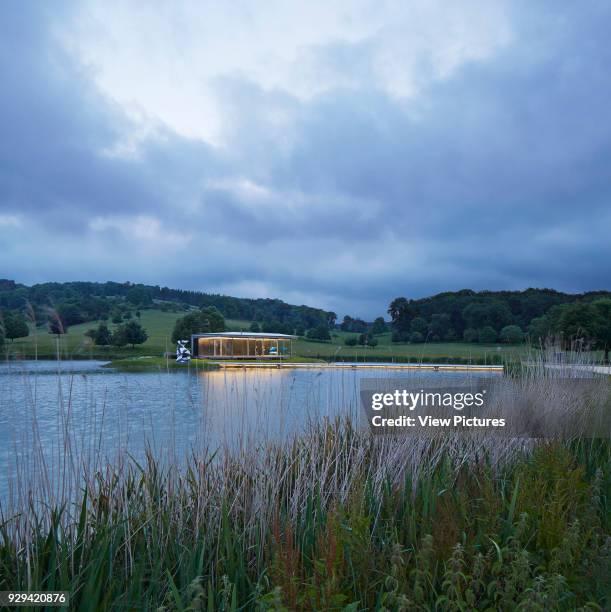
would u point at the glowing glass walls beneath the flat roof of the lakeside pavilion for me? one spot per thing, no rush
(244, 348)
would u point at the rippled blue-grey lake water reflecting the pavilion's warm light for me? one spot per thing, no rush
(53, 414)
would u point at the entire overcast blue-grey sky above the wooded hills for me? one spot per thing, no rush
(337, 154)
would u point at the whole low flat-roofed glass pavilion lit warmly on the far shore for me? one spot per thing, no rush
(241, 345)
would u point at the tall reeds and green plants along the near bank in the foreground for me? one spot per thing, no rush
(531, 535)
